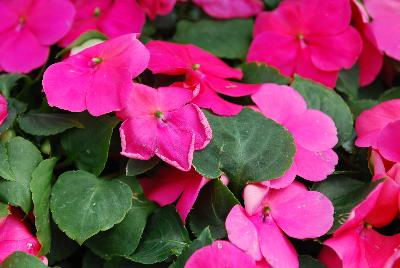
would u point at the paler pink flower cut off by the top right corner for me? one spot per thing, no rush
(386, 24)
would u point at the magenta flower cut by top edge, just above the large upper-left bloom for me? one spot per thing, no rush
(111, 17)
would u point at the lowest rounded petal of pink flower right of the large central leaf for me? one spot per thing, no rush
(315, 166)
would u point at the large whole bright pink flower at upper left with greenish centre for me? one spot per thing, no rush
(97, 78)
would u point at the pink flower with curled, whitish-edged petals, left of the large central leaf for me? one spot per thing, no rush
(163, 122)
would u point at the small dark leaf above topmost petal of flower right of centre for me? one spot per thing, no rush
(259, 73)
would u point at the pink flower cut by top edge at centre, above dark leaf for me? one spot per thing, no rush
(227, 9)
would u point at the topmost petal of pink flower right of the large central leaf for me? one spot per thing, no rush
(279, 103)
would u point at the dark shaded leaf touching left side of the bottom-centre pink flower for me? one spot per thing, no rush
(211, 209)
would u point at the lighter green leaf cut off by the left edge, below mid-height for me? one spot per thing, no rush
(18, 159)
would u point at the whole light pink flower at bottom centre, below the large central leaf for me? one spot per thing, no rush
(260, 228)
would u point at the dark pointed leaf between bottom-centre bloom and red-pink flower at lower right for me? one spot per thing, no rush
(345, 193)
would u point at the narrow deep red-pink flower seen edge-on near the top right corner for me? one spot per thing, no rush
(371, 58)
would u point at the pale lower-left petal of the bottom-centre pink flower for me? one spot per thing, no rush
(242, 233)
